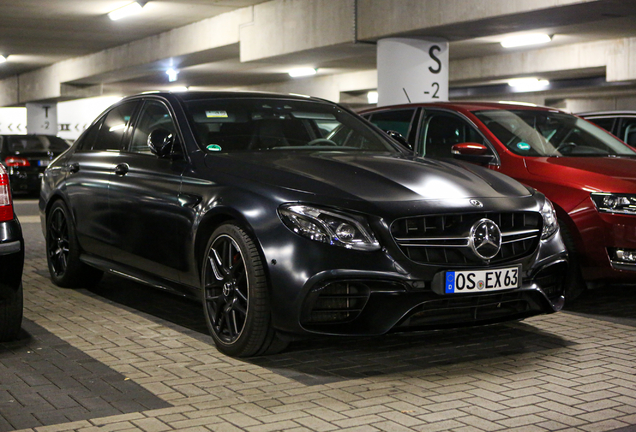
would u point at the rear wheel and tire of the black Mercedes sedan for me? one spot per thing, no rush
(63, 251)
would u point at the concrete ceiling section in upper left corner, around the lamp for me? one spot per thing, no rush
(37, 33)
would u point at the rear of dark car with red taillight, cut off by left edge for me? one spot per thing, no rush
(11, 264)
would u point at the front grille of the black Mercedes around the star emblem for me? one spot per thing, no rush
(444, 239)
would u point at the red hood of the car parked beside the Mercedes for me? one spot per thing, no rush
(607, 174)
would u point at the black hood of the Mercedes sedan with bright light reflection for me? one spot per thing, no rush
(369, 177)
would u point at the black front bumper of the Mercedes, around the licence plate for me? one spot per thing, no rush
(348, 292)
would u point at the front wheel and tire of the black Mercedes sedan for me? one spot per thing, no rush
(235, 295)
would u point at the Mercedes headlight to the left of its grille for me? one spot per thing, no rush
(329, 227)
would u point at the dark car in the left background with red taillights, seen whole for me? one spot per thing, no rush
(25, 158)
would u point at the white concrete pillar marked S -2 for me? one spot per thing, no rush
(412, 70)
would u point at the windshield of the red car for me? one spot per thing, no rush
(546, 133)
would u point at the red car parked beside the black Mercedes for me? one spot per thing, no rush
(587, 173)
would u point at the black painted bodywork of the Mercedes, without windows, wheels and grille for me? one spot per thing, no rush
(152, 222)
